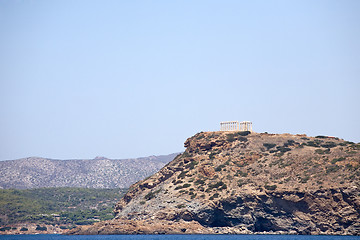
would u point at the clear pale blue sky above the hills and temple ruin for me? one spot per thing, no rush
(127, 79)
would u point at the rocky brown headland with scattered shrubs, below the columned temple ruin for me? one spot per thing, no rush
(236, 182)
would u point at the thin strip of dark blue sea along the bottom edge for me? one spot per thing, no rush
(174, 237)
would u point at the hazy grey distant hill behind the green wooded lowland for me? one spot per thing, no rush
(37, 172)
